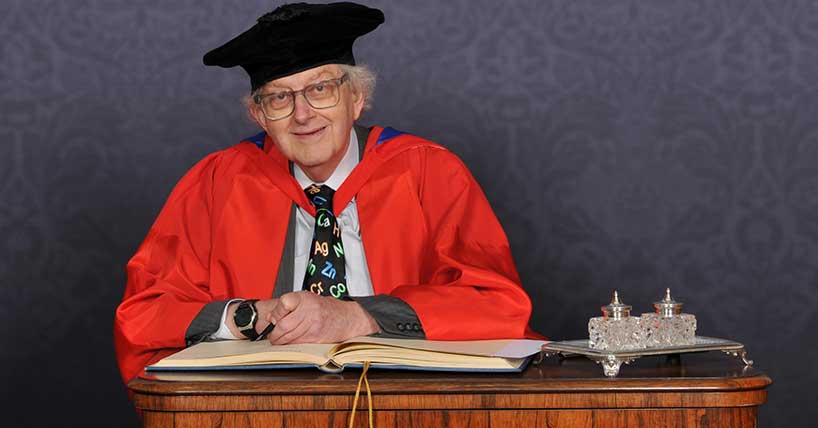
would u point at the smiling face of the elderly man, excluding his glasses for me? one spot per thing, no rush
(314, 139)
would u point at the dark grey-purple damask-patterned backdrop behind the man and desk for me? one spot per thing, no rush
(624, 144)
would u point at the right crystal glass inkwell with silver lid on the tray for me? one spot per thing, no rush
(668, 326)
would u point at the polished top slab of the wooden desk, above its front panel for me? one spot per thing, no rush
(703, 372)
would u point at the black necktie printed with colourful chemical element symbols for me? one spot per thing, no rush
(326, 274)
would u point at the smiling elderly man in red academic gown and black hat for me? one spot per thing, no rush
(405, 243)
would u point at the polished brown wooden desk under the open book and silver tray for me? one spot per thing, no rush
(695, 390)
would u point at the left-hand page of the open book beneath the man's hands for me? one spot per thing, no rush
(245, 352)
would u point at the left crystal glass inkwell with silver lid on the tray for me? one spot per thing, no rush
(616, 330)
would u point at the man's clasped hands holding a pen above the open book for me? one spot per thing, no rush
(304, 317)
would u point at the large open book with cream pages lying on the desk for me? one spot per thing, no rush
(506, 355)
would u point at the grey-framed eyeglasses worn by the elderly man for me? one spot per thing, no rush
(321, 95)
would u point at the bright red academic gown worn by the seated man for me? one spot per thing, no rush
(430, 236)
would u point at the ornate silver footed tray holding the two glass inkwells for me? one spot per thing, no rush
(611, 361)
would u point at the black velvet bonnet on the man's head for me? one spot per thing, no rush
(296, 37)
